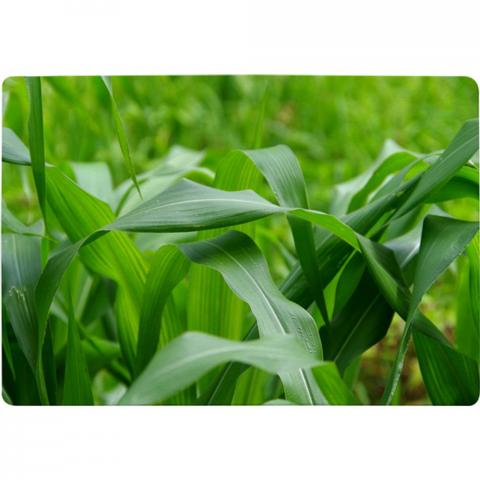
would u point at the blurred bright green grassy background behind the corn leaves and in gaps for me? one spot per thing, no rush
(335, 125)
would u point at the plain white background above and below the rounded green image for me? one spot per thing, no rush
(179, 37)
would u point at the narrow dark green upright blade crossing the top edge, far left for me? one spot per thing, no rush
(36, 139)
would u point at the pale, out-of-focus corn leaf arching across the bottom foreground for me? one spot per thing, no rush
(187, 358)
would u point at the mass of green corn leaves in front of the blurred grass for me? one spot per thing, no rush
(159, 290)
